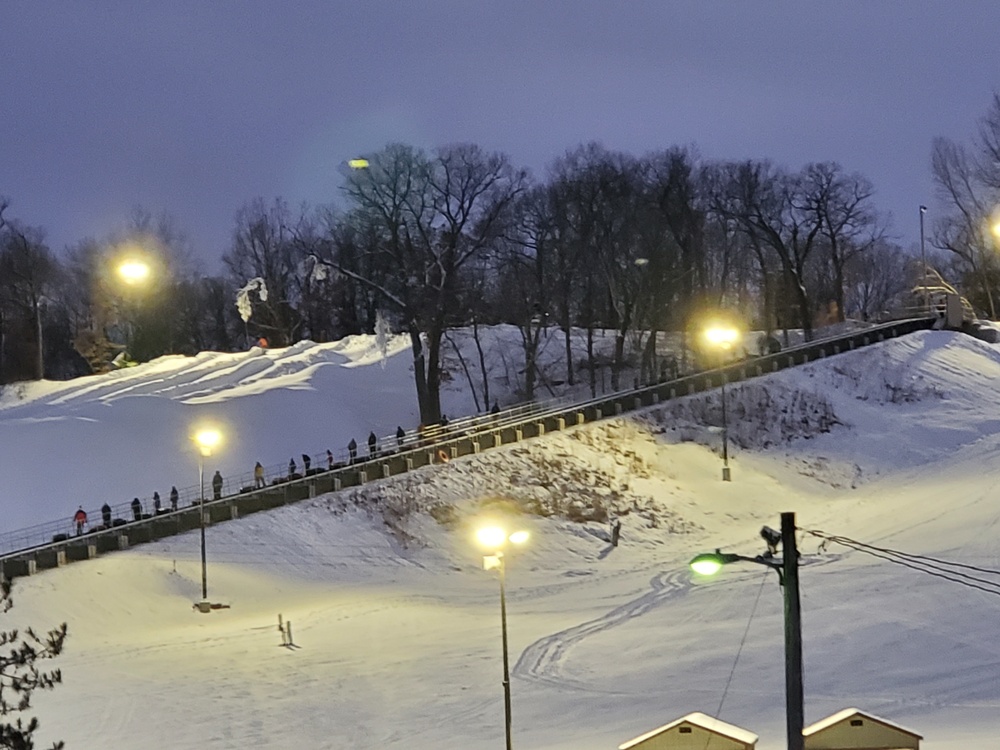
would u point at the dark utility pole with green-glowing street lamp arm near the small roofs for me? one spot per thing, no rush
(787, 568)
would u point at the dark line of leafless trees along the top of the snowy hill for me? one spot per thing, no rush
(460, 236)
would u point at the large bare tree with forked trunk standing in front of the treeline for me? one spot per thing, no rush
(435, 215)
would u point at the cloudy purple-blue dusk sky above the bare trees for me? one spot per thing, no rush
(194, 107)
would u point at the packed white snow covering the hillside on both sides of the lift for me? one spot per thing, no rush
(396, 625)
